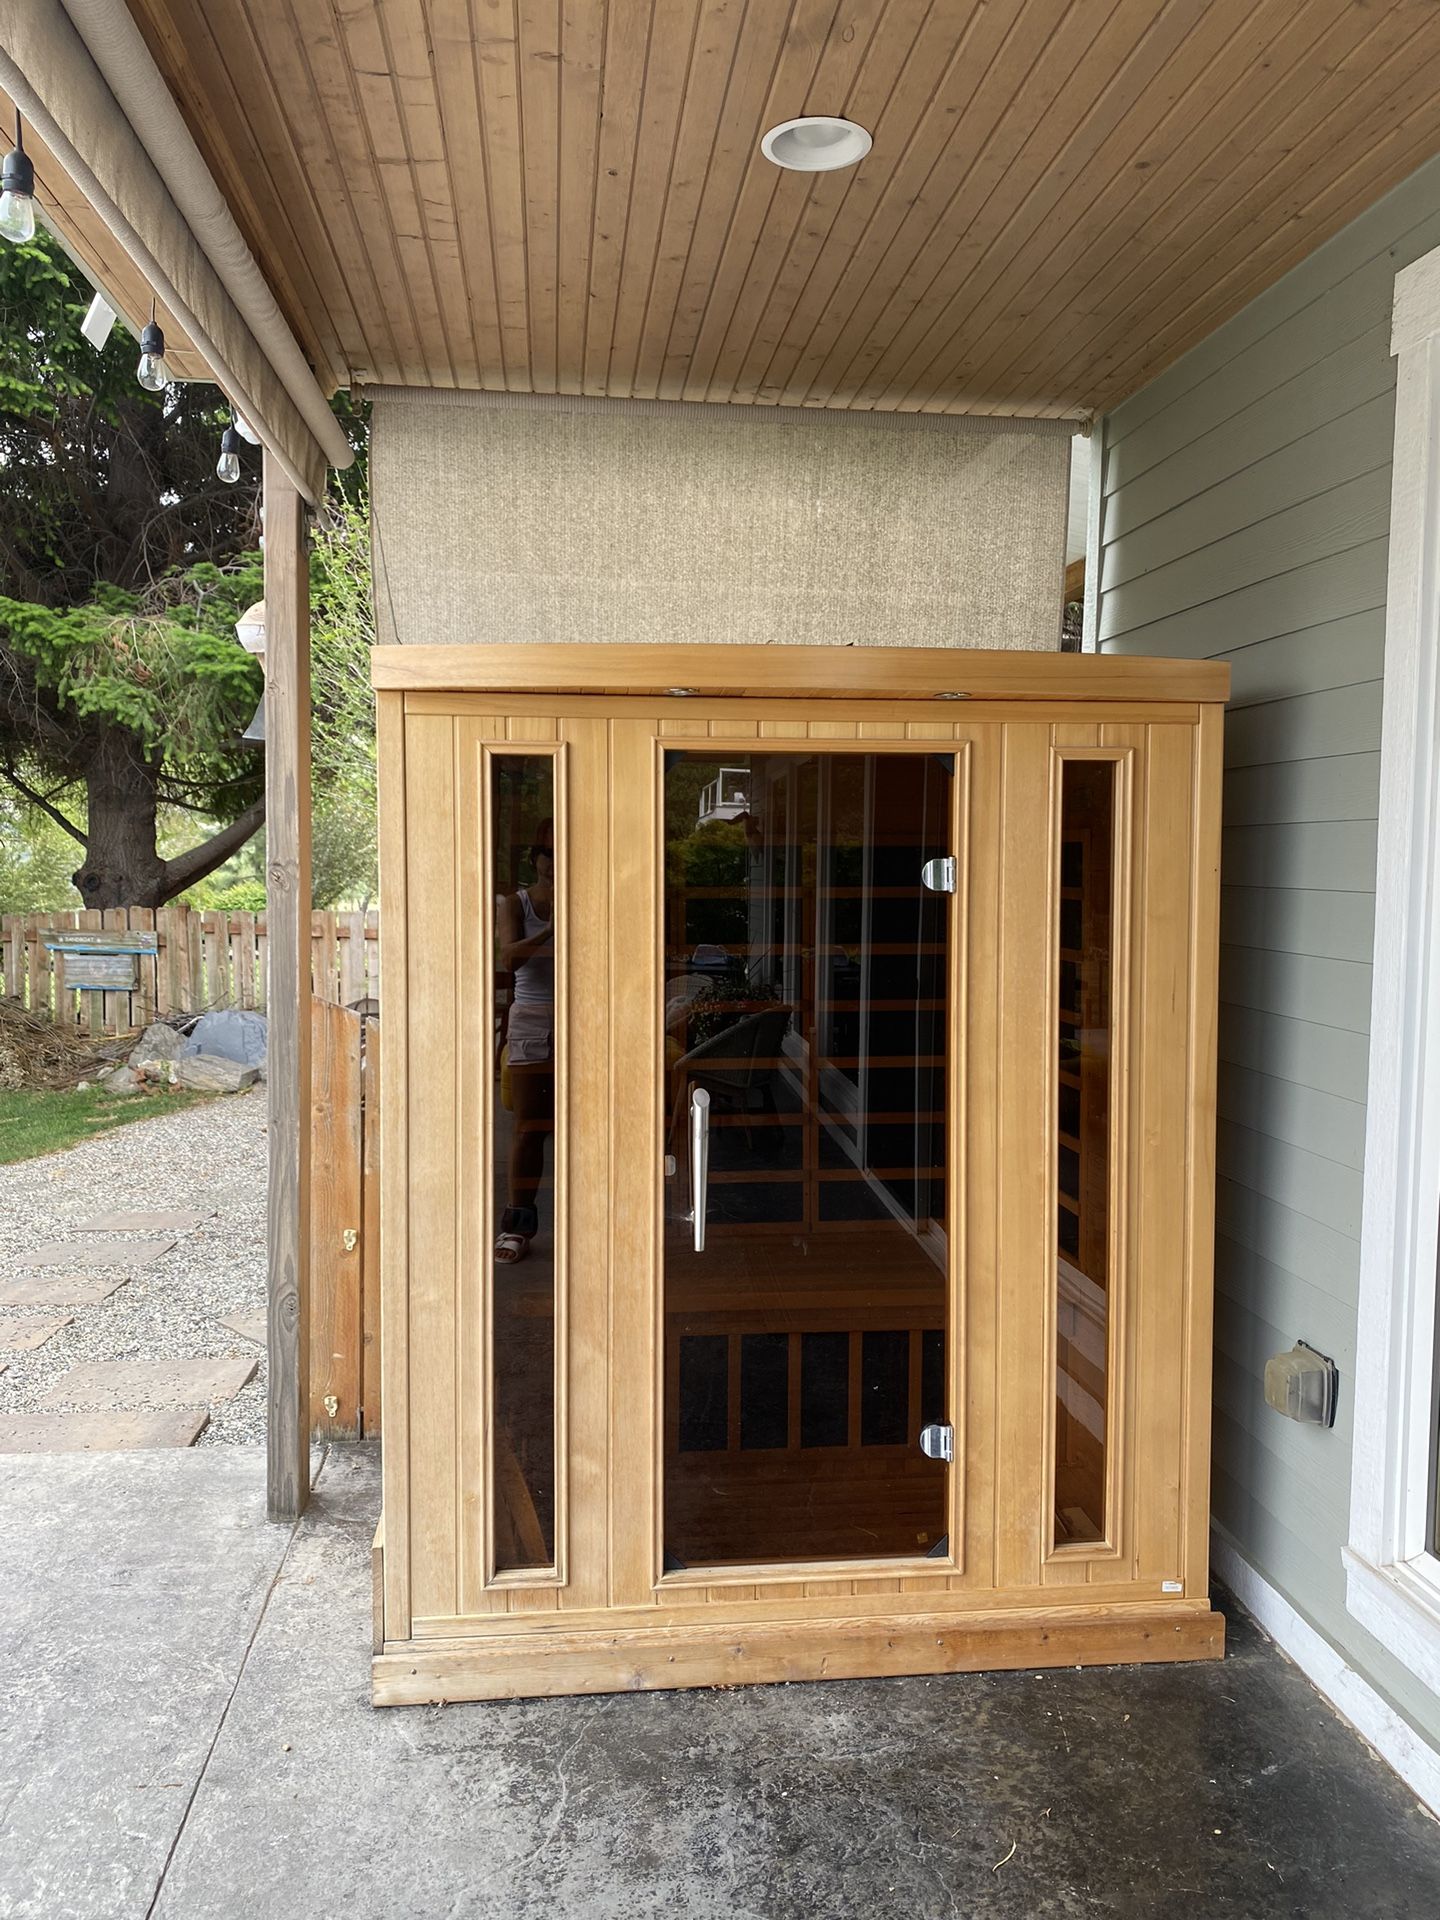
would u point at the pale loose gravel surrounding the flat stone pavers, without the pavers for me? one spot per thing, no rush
(208, 1159)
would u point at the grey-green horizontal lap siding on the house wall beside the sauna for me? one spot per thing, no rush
(1245, 517)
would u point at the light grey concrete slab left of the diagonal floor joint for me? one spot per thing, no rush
(132, 1589)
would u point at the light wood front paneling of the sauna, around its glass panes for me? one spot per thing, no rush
(1001, 1172)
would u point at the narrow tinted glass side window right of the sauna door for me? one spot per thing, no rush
(1084, 1036)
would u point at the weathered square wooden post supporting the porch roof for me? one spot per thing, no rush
(289, 990)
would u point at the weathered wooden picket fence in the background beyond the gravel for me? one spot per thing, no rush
(203, 961)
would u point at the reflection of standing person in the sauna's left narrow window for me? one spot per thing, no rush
(527, 949)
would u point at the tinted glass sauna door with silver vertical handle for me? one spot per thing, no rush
(805, 1134)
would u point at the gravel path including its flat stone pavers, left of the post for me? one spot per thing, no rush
(145, 1245)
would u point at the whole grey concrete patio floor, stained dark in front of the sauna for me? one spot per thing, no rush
(185, 1733)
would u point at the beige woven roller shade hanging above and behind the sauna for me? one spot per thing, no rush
(519, 519)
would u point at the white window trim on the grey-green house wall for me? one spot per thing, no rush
(1393, 1581)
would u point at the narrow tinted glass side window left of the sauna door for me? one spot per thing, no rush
(523, 1161)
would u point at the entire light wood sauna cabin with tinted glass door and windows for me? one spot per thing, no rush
(800, 1164)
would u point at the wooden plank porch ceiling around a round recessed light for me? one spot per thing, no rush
(569, 197)
